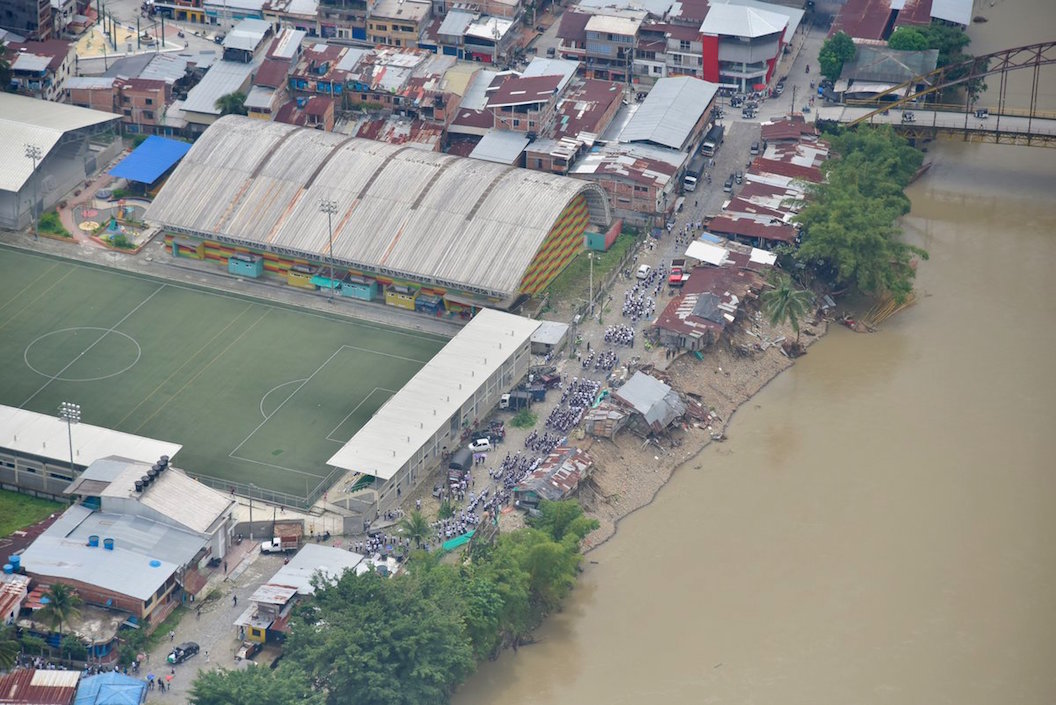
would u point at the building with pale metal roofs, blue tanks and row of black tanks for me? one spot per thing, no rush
(136, 539)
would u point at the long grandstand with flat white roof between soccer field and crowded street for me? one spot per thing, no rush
(427, 420)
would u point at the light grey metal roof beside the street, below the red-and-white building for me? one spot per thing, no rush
(670, 111)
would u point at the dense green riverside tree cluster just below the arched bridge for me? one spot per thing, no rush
(852, 237)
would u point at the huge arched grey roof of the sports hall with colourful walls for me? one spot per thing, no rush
(433, 218)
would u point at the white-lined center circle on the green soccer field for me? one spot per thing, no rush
(121, 355)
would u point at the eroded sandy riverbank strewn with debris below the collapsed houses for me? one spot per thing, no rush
(630, 473)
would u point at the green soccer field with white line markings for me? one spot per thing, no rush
(255, 392)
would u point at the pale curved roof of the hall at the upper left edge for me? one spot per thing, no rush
(27, 121)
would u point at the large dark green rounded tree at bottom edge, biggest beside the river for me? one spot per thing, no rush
(374, 641)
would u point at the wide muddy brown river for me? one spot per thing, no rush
(879, 528)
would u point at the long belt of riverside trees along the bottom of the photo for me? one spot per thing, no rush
(367, 640)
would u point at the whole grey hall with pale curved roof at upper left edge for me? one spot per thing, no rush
(73, 144)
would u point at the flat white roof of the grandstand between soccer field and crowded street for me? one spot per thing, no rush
(411, 417)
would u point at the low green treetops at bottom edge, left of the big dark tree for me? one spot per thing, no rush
(255, 687)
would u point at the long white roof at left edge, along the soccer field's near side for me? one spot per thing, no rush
(46, 436)
